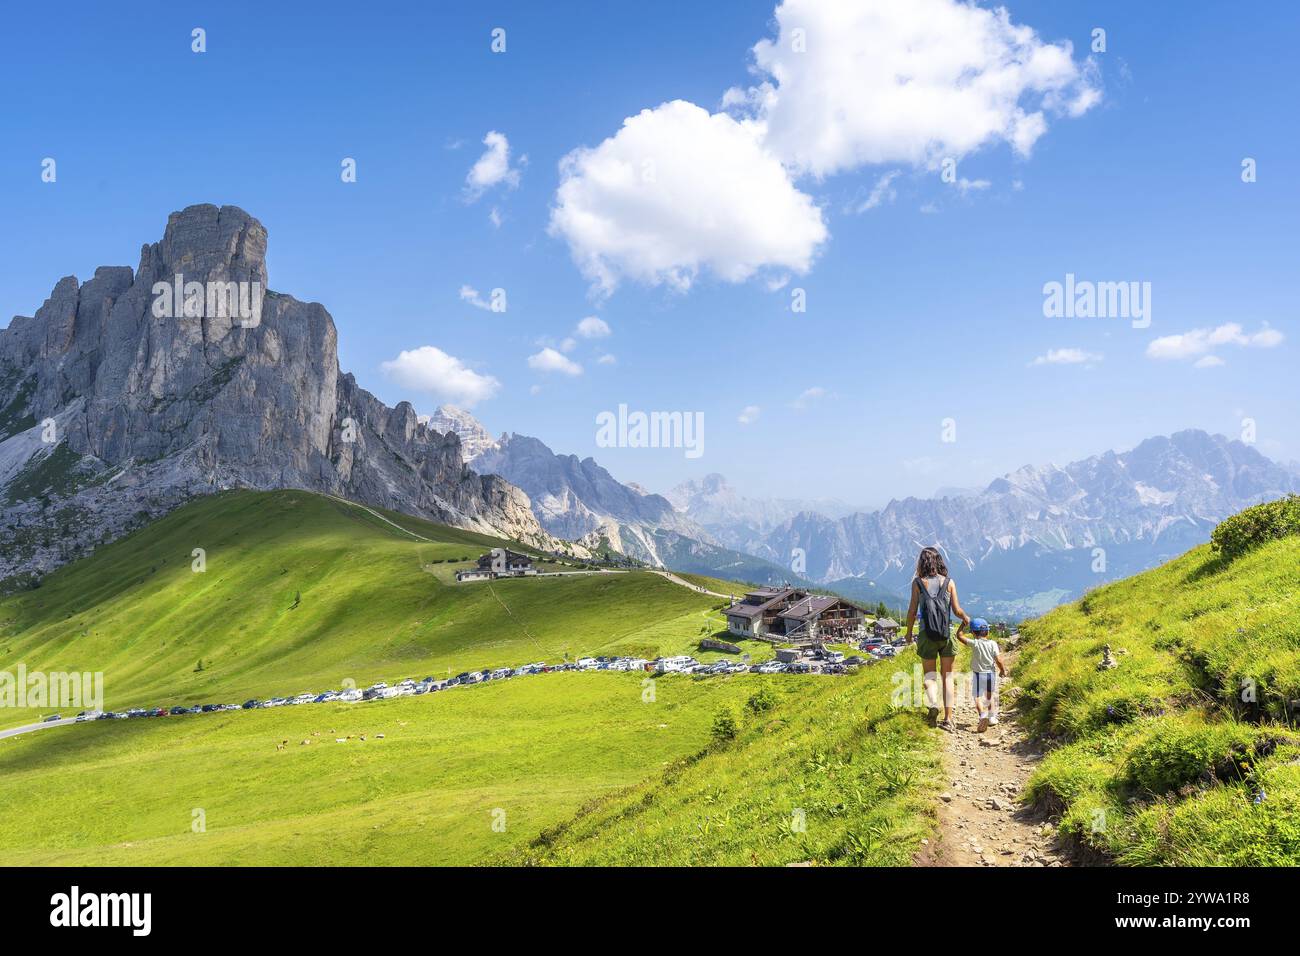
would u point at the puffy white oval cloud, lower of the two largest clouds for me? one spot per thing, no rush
(679, 191)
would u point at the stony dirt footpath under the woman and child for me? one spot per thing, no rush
(981, 820)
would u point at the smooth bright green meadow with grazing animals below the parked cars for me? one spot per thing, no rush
(526, 752)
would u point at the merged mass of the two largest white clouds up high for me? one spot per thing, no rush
(844, 85)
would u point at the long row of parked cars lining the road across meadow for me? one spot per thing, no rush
(829, 663)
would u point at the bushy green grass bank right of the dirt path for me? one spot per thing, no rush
(1185, 754)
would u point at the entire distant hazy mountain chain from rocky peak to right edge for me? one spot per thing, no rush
(1026, 543)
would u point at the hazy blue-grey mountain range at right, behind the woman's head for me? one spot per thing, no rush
(1045, 535)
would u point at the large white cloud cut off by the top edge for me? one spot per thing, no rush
(878, 81)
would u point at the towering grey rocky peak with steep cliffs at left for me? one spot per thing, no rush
(129, 395)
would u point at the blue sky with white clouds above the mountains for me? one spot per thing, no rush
(925, 308)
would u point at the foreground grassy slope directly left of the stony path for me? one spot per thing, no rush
(821, 771)
